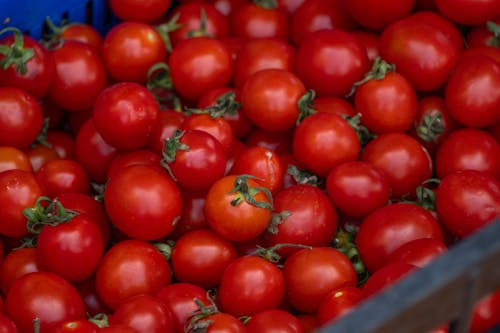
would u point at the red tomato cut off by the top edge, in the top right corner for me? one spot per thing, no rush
(469, 12)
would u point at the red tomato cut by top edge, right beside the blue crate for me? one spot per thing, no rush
(134, 10)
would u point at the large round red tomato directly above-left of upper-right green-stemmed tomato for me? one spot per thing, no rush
(331, 61)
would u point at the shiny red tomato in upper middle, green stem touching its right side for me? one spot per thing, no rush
(269, 98)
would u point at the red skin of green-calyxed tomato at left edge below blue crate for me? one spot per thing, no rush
(38, 76)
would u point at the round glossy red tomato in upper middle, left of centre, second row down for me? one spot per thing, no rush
(198, 65)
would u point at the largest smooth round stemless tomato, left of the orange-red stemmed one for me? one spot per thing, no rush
(143, 202)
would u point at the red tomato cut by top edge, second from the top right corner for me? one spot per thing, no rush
(376, 15)
